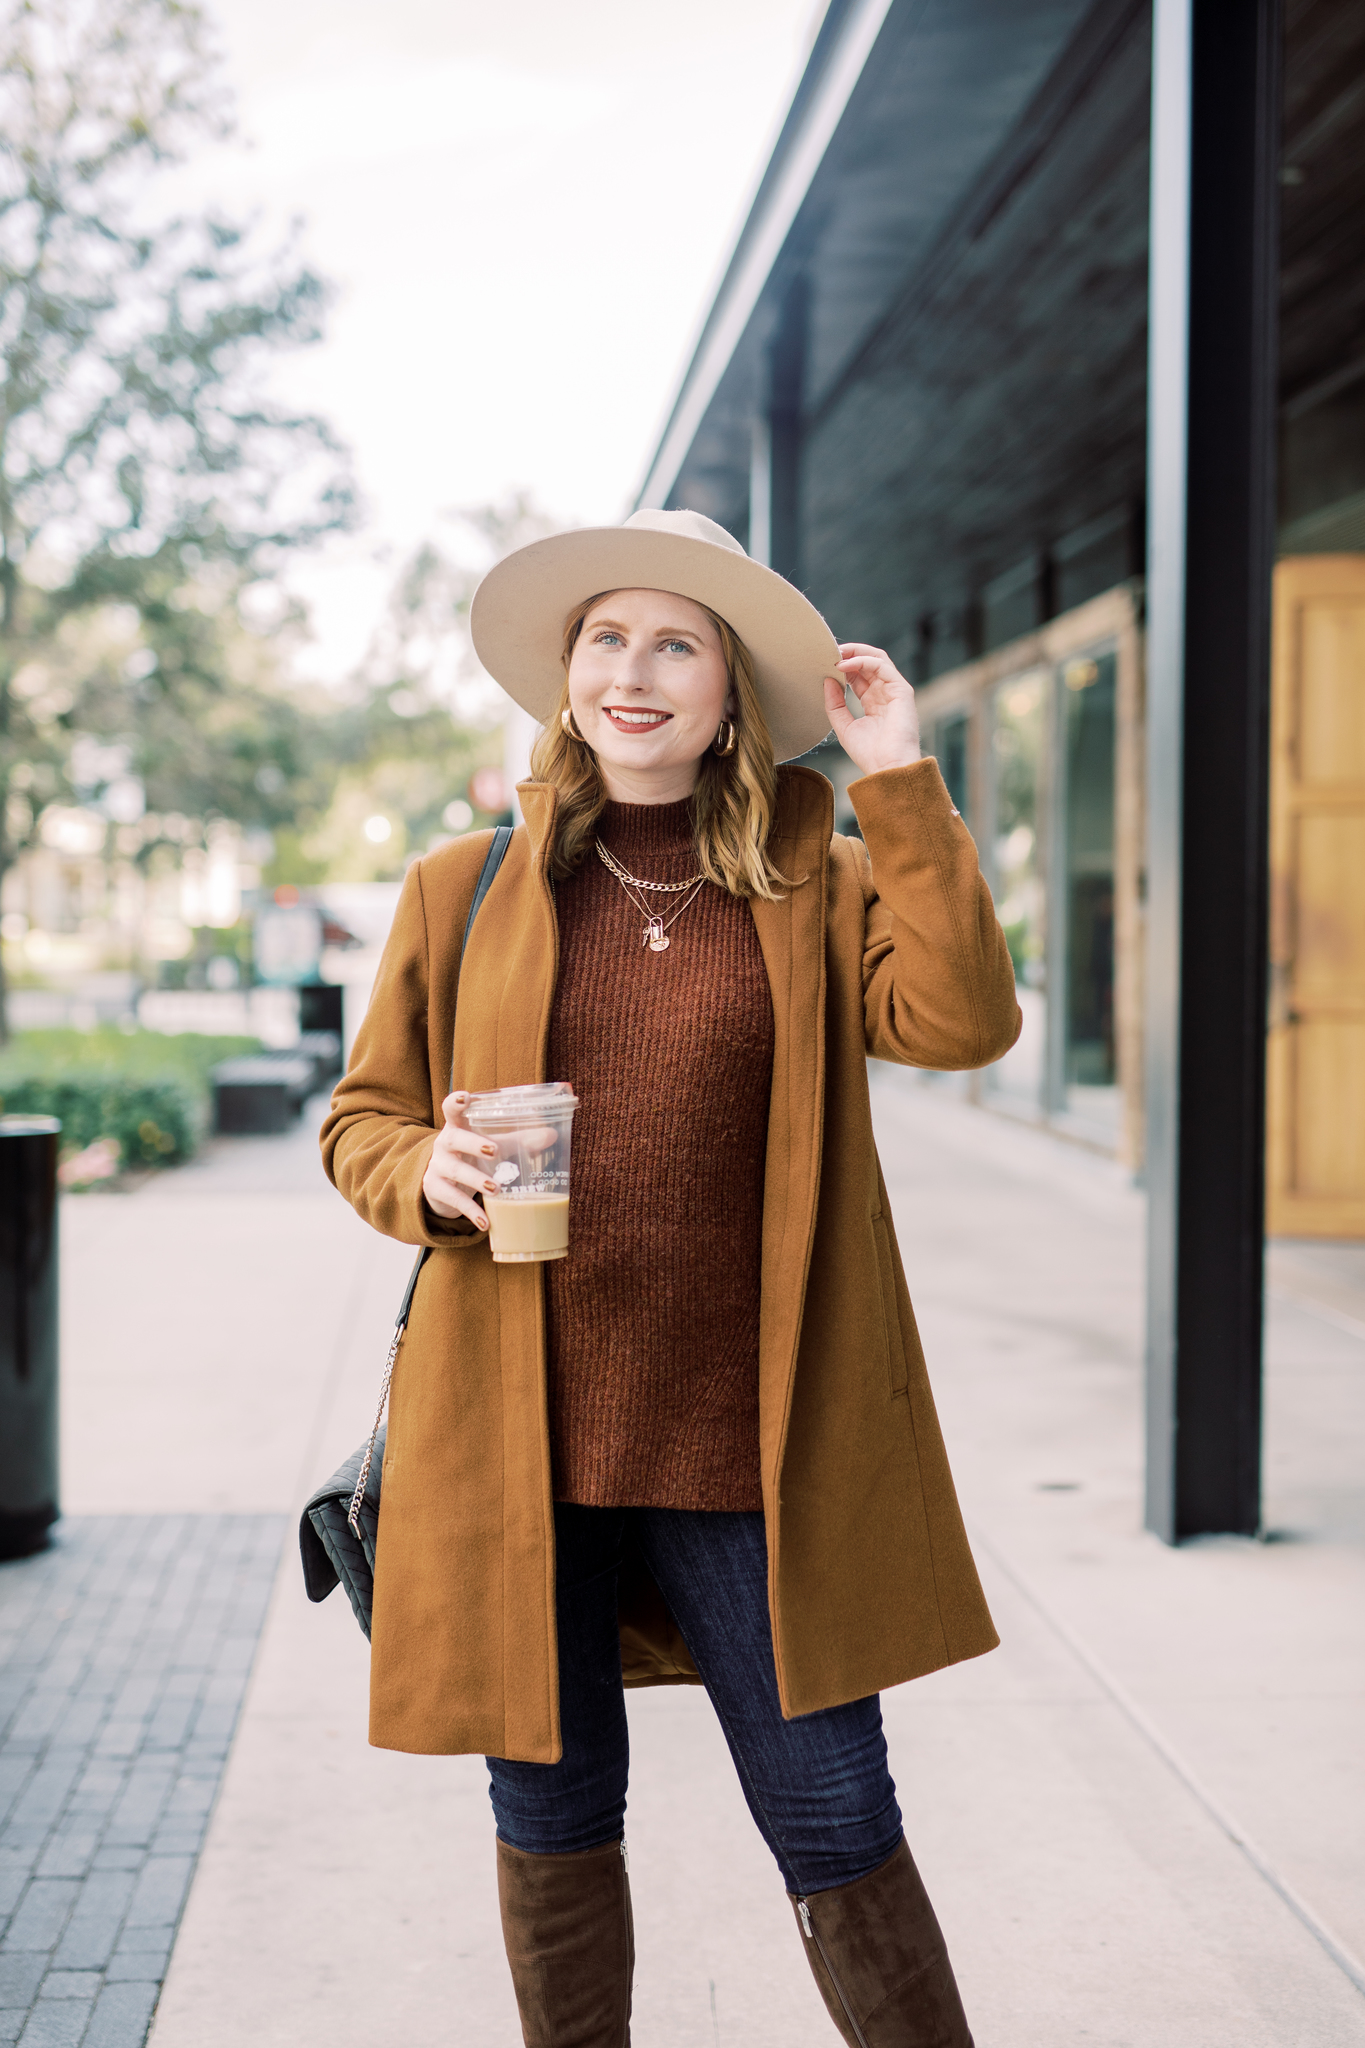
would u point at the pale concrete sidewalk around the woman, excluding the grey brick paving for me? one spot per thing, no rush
(1073, 1799)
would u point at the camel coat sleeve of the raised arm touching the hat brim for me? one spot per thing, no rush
(938, 980)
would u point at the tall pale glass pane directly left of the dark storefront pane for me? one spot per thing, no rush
(1018, 734)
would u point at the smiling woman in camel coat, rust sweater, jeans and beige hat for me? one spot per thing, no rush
(703, 1447)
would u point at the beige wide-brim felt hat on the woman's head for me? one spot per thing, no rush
(521, 607)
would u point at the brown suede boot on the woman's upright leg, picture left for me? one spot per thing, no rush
(570, 1943)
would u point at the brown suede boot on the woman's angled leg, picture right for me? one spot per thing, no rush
(881, 1963)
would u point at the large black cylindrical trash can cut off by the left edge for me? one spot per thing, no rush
(28, 1332)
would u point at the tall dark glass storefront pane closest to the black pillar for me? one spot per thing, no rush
(1088, 880)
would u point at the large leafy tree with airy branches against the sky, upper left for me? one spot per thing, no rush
(144, 472)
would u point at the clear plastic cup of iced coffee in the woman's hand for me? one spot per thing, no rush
(529, 1218)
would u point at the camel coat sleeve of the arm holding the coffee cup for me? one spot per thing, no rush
(382, 1125)
